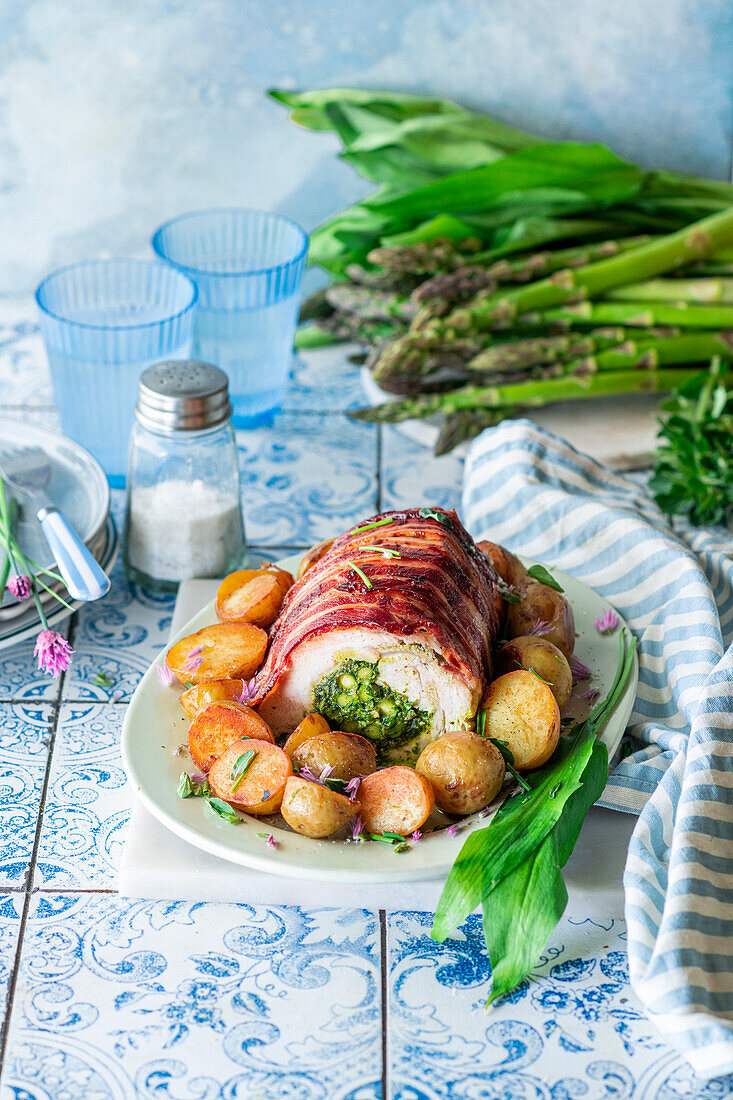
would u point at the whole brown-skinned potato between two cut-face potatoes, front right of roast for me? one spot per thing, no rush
(465, 771)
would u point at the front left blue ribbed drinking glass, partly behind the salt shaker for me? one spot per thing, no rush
(104, 322)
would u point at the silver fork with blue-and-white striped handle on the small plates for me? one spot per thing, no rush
(27, 470)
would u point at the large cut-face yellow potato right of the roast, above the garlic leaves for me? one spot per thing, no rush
(522, 711)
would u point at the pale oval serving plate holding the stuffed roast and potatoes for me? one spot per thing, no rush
(155, 727)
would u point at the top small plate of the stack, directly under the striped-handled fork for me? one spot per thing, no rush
(78, 486)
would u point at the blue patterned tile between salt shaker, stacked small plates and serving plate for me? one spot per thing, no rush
(119, 636)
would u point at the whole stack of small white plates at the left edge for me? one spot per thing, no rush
(79, 487)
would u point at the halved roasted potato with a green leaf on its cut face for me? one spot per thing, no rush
(261, 788)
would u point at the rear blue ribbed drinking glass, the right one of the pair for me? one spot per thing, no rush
(248, 267)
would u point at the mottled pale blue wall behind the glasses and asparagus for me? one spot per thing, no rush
(116, 115)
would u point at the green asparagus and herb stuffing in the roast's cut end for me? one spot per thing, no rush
(353, 699)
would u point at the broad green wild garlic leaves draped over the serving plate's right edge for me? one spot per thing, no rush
(512, 868)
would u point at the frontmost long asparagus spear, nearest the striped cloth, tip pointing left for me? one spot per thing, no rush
(532, 394)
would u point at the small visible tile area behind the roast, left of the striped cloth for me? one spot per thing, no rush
(413, 476)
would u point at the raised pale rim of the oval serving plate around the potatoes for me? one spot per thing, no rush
(270, 862)
